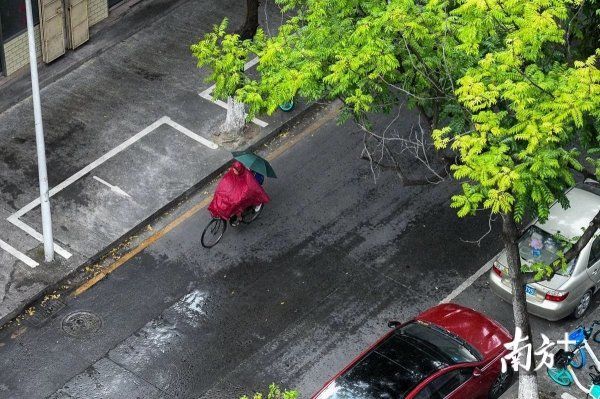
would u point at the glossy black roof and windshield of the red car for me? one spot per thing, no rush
(398, 364)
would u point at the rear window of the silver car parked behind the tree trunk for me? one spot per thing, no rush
(537, 245)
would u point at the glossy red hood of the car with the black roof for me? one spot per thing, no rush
(481, 332)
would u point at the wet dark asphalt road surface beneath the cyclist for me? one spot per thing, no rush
(291, 298)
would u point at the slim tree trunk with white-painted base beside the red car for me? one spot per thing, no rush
(528, 385)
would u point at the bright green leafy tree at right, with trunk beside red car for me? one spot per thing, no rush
(529, 102)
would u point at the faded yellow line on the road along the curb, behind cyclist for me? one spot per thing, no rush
(332, 111)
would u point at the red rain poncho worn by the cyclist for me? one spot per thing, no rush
(236, 192)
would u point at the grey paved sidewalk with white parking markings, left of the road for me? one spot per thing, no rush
(127, 134)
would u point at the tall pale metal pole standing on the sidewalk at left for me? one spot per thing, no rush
(39, 139)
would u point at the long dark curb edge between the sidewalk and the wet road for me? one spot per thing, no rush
(309, 110)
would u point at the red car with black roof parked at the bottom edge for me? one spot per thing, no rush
(449, 352)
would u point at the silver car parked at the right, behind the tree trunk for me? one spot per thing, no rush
(569, 292)
